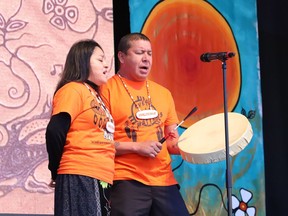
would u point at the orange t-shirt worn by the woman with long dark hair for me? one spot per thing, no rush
(89, 148)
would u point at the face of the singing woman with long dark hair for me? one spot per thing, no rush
(98, 73)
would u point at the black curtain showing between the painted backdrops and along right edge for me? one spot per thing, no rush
(273, 49)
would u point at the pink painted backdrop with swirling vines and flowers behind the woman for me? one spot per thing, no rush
(35, 37)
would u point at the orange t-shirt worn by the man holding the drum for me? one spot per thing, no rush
(150, 171)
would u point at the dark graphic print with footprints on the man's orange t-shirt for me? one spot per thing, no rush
(133, 124)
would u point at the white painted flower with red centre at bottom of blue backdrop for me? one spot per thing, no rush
(240, 207)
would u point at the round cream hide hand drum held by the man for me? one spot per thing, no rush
(204, 141)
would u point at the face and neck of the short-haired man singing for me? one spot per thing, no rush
(136, 64)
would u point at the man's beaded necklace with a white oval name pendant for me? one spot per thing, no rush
(141, 114)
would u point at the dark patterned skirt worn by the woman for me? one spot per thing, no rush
(77, 195)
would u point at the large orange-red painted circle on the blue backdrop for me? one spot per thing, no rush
(180, 32)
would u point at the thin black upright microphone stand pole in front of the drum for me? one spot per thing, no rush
(228, 166)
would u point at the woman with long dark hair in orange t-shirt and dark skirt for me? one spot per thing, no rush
(79, 136)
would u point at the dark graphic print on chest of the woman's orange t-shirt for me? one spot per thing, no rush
(100, 119)
